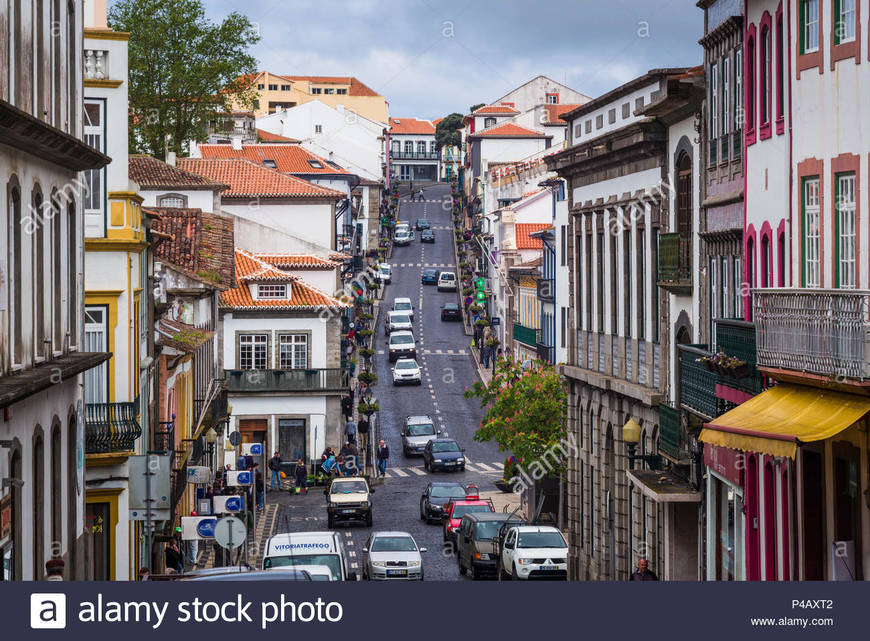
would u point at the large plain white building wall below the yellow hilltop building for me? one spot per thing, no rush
(335, 133)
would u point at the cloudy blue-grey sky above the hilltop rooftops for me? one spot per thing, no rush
(433, 57)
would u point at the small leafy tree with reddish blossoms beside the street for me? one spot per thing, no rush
(525, 415)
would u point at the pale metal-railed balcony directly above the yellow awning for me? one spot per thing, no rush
(817, 331)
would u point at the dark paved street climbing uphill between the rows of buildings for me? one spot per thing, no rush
(448, 368)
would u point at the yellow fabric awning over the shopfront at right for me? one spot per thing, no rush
(778, 419)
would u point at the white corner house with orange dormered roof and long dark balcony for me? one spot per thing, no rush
(282, 339)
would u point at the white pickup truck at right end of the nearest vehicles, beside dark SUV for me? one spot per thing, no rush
(534, 552)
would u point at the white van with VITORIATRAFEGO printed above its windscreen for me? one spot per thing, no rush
(309, 548)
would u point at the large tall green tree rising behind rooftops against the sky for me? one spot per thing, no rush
(183, 69)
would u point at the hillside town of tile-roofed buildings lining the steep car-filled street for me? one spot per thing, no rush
(663, 288)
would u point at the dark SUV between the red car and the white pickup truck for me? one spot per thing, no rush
(476, 541)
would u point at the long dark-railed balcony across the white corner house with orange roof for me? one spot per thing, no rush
(335, 379)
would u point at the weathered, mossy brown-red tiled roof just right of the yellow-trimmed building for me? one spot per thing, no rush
(197, 243)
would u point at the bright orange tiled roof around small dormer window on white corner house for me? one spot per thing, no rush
(250, 268)
